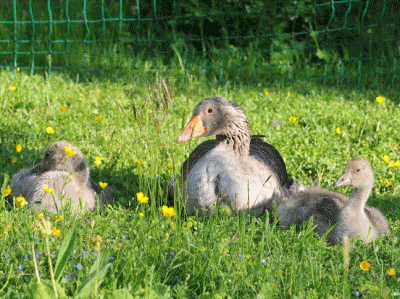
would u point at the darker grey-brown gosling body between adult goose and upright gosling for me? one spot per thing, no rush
(322, 204)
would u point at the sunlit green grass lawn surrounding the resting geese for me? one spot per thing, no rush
(219, 257)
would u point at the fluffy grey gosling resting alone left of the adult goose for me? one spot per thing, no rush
(67, 176)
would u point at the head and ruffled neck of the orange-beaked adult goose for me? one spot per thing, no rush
(220, 117)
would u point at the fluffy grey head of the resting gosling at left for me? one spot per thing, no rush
(56, 159)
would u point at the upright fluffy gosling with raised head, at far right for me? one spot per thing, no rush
(355, 219)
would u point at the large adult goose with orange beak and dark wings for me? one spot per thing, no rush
(236, 169)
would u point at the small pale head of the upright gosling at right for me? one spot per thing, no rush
(357, 173)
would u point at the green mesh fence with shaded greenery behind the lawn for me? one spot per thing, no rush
(341, 43)
